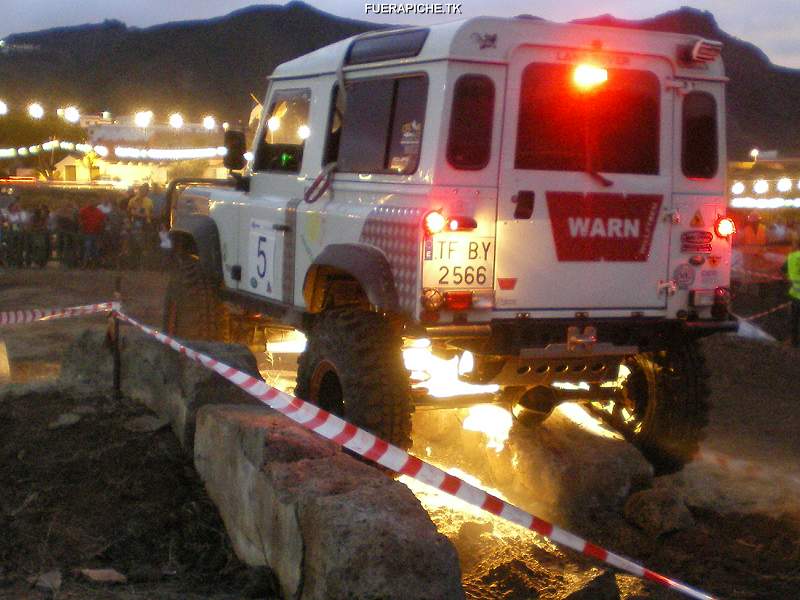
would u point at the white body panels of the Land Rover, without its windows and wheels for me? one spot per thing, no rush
(599, 251)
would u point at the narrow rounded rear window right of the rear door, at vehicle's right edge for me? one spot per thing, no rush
(699, 151)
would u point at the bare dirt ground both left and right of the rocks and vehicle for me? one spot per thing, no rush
(94, 494)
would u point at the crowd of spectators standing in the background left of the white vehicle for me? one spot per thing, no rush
(125, 233)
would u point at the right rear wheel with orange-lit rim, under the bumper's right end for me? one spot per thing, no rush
(664, 405)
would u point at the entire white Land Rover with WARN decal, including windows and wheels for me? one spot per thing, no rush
(491, 210)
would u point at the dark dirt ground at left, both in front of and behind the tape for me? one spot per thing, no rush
(94, 494)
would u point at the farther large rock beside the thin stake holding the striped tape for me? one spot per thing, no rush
(151, 373)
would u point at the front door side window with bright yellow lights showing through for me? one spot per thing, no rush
(285, 132)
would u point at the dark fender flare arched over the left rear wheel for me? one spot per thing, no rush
(367, 265)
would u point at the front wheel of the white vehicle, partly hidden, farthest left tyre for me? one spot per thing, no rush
(192, 307)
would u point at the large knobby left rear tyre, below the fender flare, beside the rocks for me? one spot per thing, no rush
(353, 367)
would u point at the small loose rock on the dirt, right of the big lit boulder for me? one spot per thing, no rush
(658, 510)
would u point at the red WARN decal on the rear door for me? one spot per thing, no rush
(595, 227)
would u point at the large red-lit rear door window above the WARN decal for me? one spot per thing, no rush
(612, 128)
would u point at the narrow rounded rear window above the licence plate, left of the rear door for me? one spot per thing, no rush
(469, 143)
